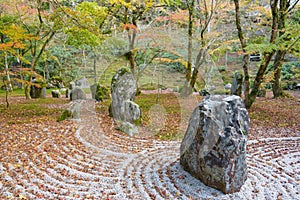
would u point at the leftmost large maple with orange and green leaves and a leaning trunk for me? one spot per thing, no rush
(36, 19)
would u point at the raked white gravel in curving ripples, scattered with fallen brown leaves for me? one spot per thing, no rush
(119, 167)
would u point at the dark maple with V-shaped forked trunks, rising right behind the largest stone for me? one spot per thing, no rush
(279, 42)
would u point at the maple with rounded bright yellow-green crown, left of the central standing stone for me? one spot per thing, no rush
(85, 26)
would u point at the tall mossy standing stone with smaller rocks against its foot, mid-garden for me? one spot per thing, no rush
(123, 109)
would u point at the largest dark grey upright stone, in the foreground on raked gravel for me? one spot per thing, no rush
(214, 146)
